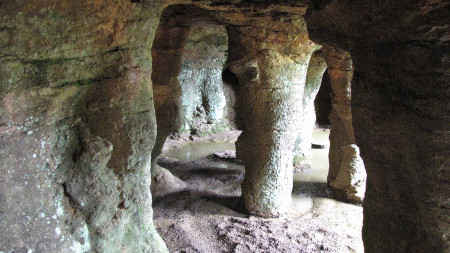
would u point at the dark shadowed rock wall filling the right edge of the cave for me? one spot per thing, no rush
(400, 107)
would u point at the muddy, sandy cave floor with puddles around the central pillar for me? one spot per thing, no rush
(208, 215)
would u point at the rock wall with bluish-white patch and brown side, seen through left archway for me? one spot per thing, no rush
(189, 52)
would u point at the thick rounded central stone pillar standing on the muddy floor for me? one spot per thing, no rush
(271, 83)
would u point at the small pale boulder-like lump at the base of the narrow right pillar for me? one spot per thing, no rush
(351, 178)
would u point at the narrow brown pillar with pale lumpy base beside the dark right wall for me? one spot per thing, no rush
(350, 169)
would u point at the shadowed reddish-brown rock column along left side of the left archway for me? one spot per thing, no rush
(167, 52)
